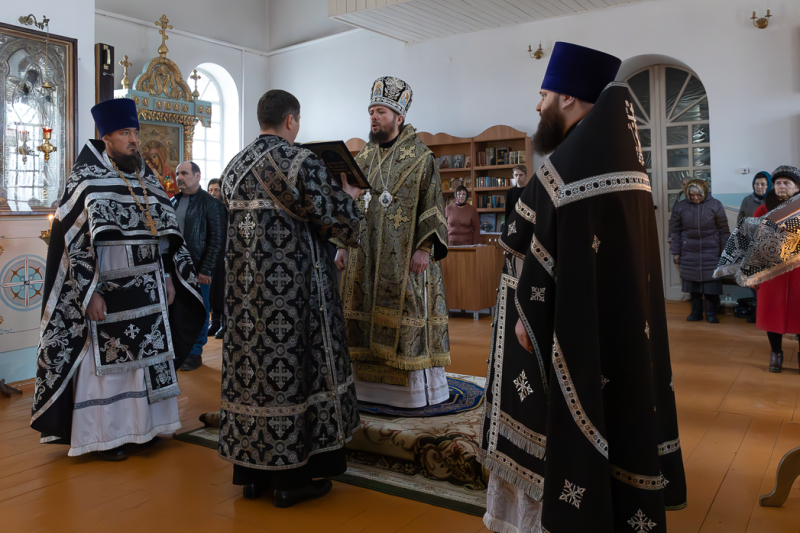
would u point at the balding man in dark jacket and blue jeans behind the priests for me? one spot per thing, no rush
(202, 221)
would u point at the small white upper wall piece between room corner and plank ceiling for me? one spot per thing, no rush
(296, 21)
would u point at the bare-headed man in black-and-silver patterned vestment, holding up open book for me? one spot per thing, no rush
(288, 400)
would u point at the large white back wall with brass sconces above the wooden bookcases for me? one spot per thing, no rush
(467, 83)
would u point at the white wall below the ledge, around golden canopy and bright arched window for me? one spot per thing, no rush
(140, 44)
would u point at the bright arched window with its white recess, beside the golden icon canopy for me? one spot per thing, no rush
(215, 146)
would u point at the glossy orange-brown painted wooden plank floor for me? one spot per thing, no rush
(736, 421)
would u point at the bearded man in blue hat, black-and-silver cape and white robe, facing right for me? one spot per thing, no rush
(118, 272)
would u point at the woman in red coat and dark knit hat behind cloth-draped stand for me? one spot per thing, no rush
(778, 310)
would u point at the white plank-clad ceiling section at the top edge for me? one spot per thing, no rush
(418, 20)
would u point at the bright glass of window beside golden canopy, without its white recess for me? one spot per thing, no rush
(208, 150)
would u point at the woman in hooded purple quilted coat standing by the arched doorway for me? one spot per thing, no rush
(699, 228)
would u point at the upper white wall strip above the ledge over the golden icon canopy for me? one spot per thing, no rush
(243, 22)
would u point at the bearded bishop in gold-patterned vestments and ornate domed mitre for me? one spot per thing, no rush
(393, 292)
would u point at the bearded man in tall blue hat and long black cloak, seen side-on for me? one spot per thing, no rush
(580, 432)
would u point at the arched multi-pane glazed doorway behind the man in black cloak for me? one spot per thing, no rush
(671, 107)
